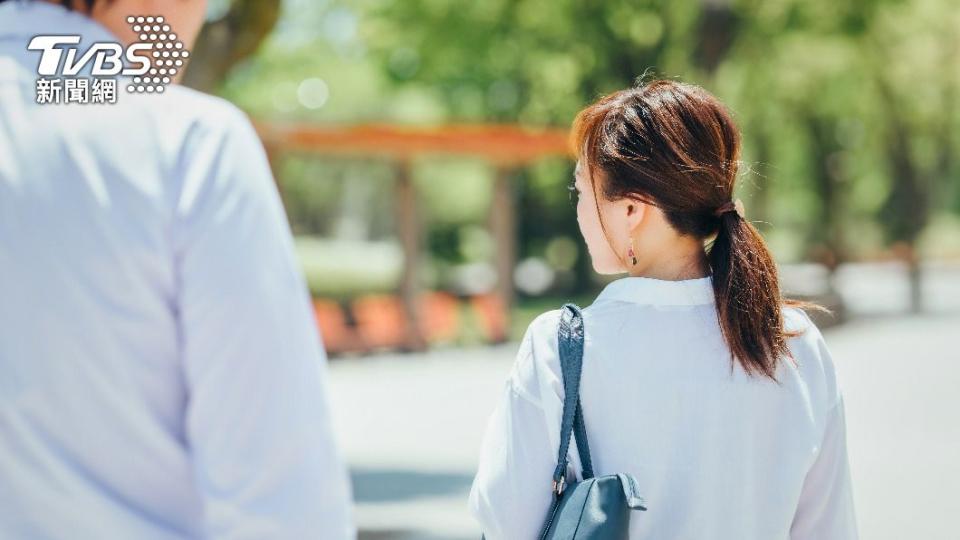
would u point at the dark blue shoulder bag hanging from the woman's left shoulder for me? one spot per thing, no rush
(594, 508)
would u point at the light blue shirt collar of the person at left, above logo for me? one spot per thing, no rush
(27, 18)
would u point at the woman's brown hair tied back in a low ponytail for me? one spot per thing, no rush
(675, 146)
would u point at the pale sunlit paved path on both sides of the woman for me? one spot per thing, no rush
(410, 426)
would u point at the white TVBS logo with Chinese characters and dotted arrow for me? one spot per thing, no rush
(148, 64)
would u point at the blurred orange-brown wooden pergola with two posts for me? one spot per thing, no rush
(506, 147)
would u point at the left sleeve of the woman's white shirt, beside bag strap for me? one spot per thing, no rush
(511, 493)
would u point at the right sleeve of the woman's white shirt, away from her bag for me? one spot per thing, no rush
(825, 510)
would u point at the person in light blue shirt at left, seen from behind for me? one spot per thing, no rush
(161, 376)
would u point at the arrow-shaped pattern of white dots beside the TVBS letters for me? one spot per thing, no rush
(167, 57)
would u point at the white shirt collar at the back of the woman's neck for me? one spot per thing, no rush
(644, 290)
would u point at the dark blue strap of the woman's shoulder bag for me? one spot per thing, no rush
(571, 342)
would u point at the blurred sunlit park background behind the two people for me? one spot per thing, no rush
(420, 147)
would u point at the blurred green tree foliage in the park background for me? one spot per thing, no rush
(849, 109)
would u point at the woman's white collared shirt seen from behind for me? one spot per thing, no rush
(718, 455)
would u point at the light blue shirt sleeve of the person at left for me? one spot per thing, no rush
(257, 423)
